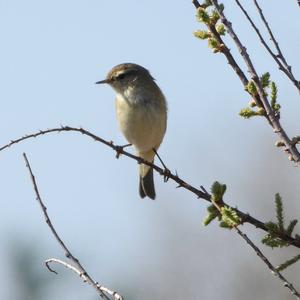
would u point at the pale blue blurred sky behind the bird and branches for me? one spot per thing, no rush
(51, 54)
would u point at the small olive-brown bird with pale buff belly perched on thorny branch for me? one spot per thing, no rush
(141, 110)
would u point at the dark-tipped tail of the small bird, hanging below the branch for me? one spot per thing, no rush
(146, 176)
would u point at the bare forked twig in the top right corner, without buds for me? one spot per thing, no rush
(279, 58)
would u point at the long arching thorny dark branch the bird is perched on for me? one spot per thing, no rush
(200, 193)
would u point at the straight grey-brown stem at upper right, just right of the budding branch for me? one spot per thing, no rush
(273, 120)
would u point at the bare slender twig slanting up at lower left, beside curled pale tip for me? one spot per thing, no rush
(79, 268)
